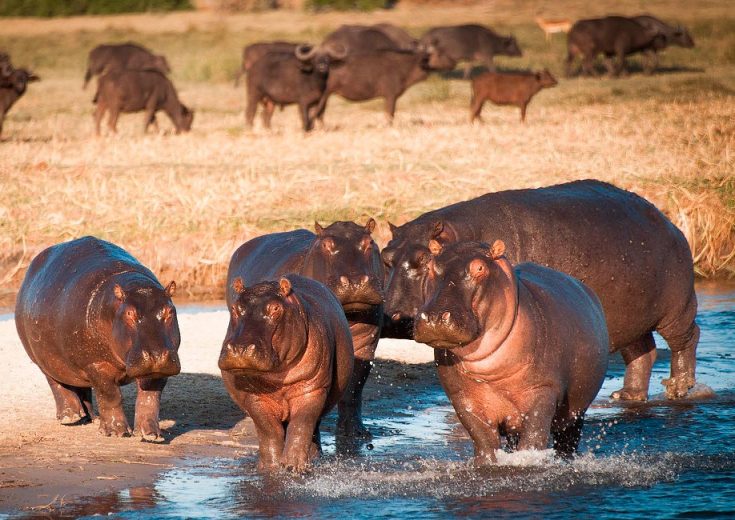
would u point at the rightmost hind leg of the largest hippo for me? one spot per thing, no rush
(682, 336)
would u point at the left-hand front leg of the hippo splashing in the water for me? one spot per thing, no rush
(485, 435)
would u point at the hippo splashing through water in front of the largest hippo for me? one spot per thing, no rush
(520, 351)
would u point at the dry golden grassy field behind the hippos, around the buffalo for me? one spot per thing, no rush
(182, 204)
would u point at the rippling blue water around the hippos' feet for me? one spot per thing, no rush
(659, 459)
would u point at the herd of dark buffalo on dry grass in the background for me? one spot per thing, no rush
(358, 63)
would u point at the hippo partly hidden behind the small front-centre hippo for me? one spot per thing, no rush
(344, 257)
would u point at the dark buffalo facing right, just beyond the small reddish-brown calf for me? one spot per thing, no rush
(471, 43)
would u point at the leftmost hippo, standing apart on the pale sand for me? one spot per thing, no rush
(93, 318)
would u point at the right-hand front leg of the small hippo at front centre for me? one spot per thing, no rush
(300, 432)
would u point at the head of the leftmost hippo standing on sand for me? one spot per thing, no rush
(146, 332)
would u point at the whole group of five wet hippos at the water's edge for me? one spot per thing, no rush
(521, 293)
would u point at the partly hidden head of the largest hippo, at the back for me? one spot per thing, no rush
(406, 259)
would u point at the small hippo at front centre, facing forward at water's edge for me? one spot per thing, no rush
(286, 360)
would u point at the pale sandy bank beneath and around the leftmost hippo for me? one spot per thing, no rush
(43, 464)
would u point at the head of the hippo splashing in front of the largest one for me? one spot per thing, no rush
(471, 290)
